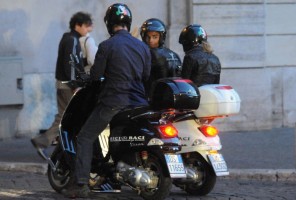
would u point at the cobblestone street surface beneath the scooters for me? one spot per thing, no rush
(21, 185)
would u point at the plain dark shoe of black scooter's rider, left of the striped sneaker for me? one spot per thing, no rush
(76, 191)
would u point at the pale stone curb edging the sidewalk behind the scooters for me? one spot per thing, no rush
(243, 174)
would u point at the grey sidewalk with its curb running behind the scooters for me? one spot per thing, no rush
(268, 154)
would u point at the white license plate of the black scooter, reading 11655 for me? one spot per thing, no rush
(175, 165)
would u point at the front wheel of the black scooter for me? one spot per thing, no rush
(60, 178)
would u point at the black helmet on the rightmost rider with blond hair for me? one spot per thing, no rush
(192, 35)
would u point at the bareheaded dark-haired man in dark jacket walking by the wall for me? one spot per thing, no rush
(80, 25)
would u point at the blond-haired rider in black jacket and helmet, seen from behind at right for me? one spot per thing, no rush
(200, 64)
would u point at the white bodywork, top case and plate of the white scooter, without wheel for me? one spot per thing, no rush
(216, 101)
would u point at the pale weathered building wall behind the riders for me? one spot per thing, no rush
(254, 39)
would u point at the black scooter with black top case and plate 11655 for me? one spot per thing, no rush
(140, 151)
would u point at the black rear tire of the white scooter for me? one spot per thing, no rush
(208, 177)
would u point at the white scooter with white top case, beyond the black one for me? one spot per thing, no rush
(200, 140)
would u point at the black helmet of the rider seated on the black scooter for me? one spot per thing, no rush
(118, 14)
